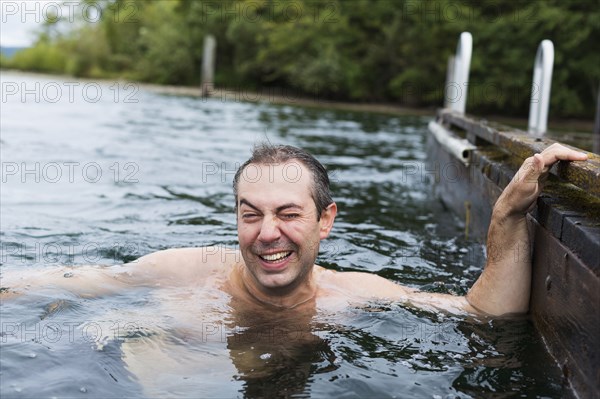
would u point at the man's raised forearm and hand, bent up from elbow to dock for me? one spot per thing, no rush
(504, 286)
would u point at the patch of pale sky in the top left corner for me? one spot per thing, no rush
(19, 19)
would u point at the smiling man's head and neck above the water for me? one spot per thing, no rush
(282, 214)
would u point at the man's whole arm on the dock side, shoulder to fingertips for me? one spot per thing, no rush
(504, 286)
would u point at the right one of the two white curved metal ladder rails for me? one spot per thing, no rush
(540, 89)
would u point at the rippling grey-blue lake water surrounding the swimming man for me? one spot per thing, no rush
(105, 173)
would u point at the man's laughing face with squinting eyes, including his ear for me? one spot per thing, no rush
(278, 230)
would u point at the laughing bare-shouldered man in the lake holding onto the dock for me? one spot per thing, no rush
(283, 210)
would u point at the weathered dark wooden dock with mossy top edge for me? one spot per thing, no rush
(565, 299)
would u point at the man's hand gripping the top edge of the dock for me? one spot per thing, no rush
(520, 194)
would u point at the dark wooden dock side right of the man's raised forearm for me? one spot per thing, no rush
(565, 304)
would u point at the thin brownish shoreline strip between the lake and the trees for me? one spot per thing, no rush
(271, 96)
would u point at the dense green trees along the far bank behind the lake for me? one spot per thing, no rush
(364, 50)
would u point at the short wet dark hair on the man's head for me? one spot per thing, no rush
(278, 154)
